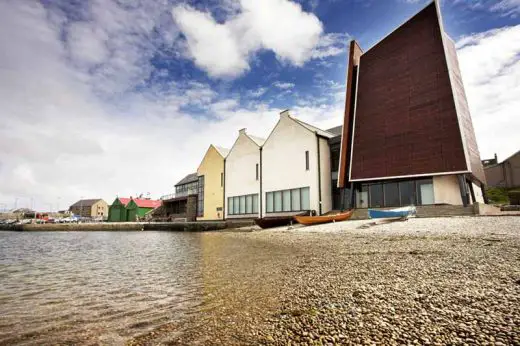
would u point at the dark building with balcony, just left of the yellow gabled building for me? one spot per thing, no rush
(182, 205)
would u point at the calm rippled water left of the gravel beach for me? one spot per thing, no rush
(95, 287)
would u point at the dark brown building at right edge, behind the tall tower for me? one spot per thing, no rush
(505, 174)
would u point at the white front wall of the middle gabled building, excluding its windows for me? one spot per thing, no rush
(241, 170)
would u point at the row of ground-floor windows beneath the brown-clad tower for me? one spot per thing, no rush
(394, 194)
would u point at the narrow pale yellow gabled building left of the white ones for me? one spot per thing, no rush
(210, 196)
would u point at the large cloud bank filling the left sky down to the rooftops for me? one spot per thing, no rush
(71, 123)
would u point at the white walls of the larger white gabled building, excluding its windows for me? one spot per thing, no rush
(283, 163)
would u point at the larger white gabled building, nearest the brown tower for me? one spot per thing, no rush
(296, 169)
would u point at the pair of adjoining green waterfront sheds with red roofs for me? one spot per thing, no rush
(130, 209)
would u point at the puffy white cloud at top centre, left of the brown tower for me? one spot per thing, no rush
(224, 49)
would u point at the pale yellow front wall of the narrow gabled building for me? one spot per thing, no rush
(211, 167)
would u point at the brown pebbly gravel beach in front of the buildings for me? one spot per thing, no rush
(424, 281)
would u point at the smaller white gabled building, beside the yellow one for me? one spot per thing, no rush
(242, 177)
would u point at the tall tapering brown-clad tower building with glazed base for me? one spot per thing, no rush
(408, 137)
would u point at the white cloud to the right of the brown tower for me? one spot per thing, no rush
(490, 66)
